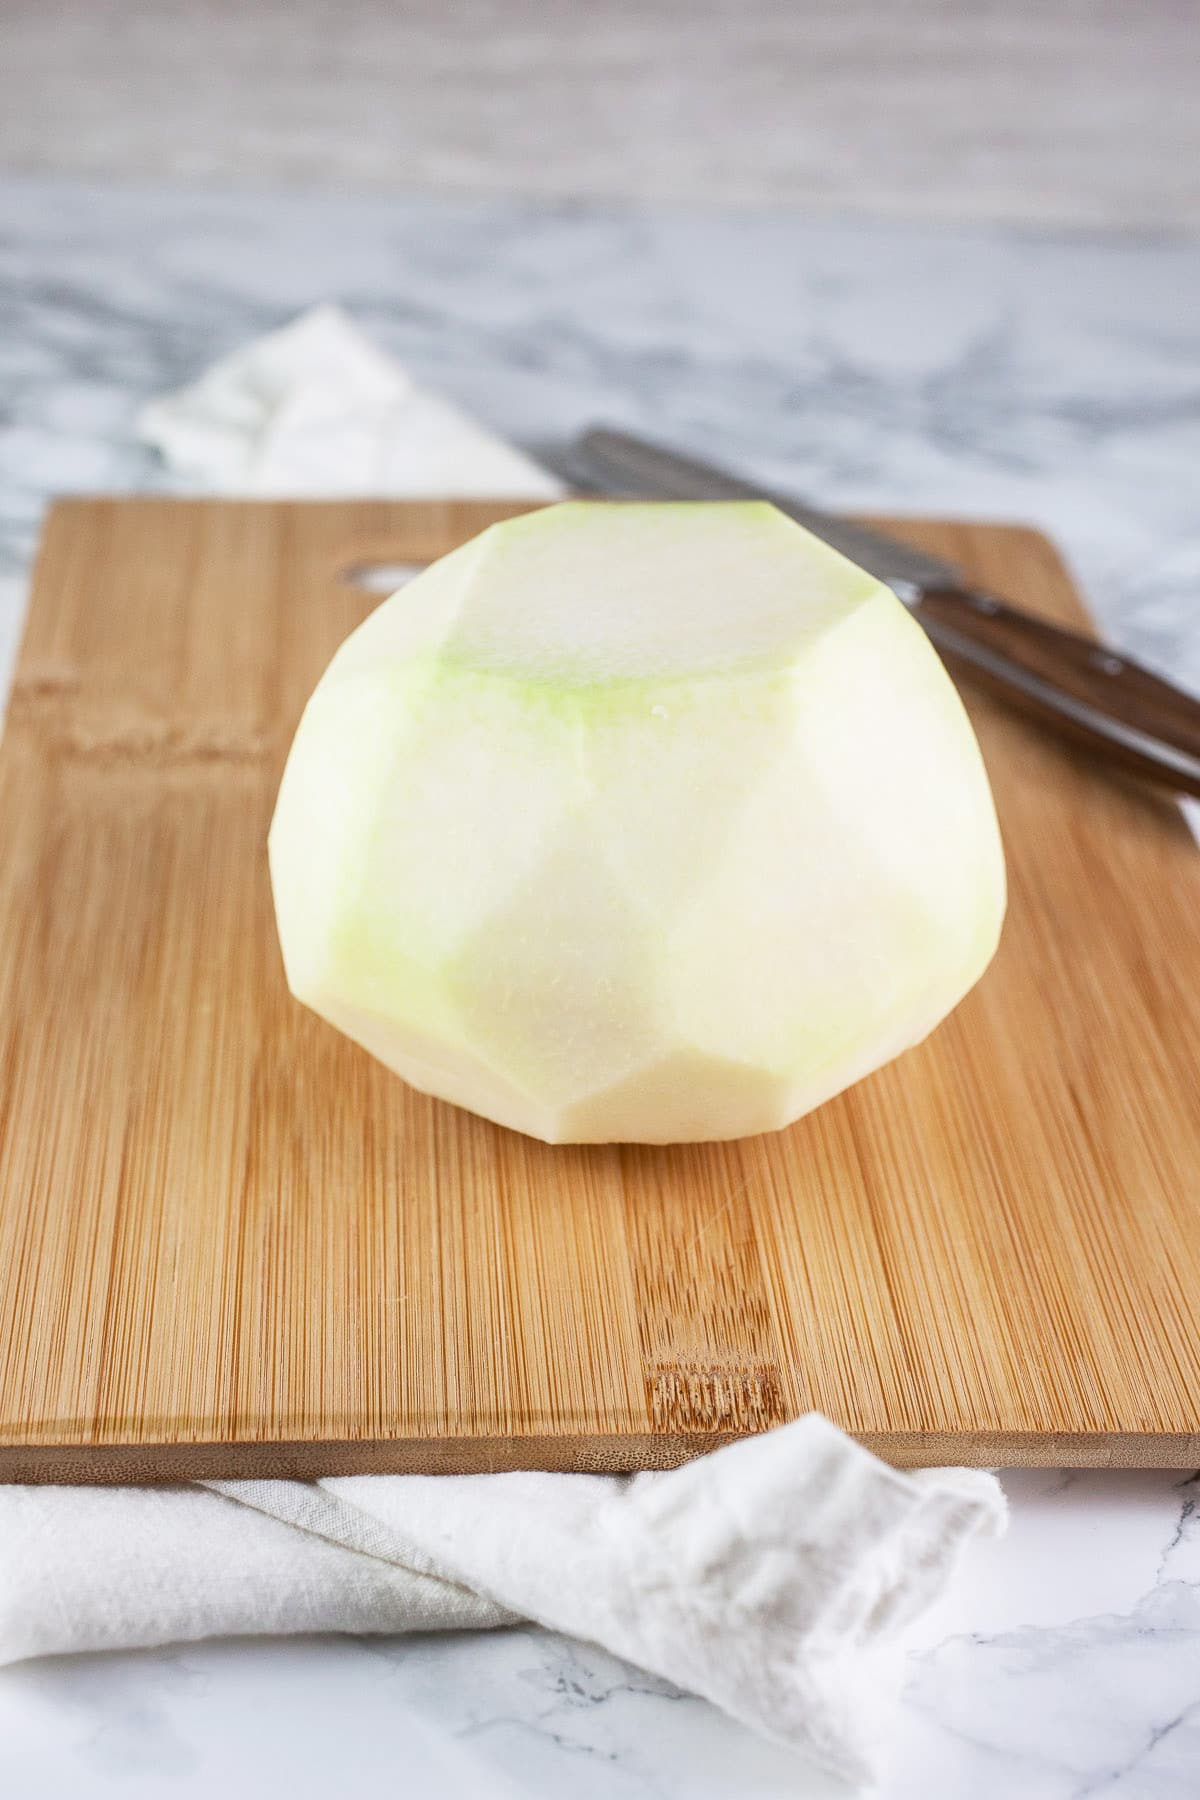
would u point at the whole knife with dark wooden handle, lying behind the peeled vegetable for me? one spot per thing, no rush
(1080, 688)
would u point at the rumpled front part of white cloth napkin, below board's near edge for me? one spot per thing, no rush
(773, 1578)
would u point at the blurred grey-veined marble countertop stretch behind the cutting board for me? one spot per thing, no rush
(1003, 375)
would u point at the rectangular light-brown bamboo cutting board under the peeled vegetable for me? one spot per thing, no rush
(235, 1245)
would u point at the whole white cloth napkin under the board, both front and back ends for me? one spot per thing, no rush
(771, 1578)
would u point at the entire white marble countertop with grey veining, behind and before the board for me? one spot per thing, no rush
(965, 373)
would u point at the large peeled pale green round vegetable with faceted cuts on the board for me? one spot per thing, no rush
(638, 823)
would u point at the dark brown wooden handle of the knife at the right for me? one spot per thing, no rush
(1079, 687)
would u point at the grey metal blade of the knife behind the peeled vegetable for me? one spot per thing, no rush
(623, 462)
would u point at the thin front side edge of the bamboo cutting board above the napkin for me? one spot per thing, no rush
(147, 1464)
